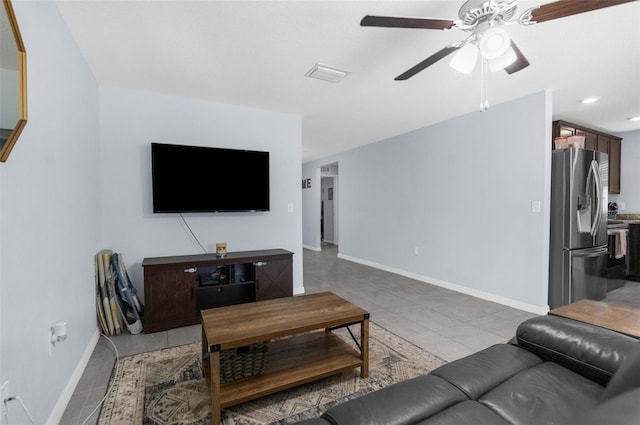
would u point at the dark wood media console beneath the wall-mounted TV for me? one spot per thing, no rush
(177, 288)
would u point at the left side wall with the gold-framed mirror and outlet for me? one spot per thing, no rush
(49, 220)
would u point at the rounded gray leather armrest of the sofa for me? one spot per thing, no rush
(592, 351)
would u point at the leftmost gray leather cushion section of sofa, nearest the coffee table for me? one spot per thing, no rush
(406, 402)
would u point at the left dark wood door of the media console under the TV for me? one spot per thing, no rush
(169, 298)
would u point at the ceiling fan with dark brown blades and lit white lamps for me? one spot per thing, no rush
(484, 19)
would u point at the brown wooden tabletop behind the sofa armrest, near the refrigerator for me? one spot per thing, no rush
(620, 319)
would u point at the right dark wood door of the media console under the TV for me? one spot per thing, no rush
(274, 279)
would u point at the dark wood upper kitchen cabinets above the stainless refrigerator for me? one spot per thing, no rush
(598, 141)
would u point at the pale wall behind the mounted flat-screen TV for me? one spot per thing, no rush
(130, 120)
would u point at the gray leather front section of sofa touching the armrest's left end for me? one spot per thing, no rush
(477, 374)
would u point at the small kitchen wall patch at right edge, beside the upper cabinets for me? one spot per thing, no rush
(629, 173)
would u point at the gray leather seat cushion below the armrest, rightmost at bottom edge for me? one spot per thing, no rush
(545, 394)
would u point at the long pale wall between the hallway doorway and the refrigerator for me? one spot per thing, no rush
(458, 193)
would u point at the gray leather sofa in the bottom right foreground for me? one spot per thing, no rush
(555, 371)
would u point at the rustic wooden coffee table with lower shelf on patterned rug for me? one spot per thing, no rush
(309, 352)
